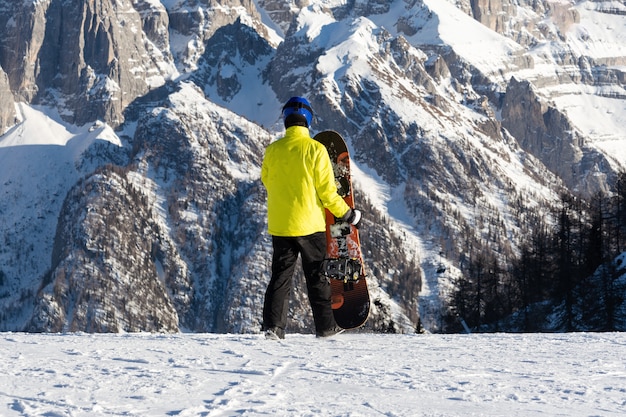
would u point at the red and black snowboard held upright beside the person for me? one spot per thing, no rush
(344, 261)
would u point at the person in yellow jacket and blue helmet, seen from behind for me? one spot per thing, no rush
(298, 176)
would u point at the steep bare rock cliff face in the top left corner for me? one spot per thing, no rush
(91, 58)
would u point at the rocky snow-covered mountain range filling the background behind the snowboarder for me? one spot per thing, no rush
(134, 133)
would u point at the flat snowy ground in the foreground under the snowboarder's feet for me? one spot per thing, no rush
(349, 375)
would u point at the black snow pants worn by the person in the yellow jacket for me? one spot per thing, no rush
(312, 249)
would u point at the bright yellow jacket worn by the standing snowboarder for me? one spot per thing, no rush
(300, 183)
